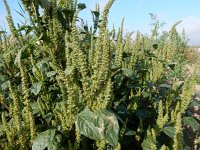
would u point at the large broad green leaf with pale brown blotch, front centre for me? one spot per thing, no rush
(101, 124)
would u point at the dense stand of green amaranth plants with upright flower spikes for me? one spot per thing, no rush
(64, 86)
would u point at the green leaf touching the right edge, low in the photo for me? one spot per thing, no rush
(190, 121)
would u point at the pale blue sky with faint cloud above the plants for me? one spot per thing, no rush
(136, 13)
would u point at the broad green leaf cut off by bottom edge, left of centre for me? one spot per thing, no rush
(47, 140)
